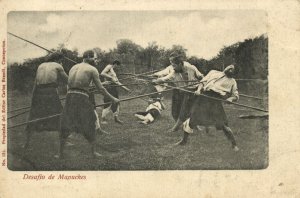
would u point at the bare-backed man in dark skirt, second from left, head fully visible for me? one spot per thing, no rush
(78, 114)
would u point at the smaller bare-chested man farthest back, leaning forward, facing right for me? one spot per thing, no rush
(110, 77)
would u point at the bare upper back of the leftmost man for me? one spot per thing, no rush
(48, 73)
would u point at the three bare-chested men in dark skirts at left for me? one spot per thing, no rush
(79, 112)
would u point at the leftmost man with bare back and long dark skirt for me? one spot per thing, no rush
(45, 100)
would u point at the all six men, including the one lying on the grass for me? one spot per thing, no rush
(200, 106)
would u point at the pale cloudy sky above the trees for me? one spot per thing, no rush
(203, 33)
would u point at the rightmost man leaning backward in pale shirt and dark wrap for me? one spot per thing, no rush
(206, 111)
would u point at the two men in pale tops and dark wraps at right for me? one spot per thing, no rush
(202, 105)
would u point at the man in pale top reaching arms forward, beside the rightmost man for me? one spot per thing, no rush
(180, 70)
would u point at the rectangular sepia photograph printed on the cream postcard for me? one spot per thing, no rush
(137, 90)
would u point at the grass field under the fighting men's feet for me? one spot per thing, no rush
(134, 146)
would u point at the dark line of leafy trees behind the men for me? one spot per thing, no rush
(250, 57)
